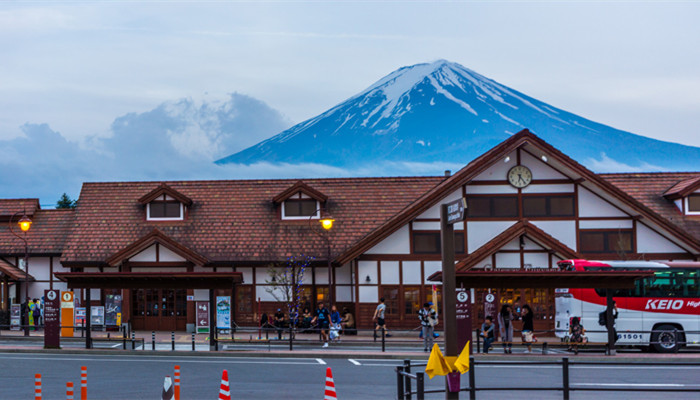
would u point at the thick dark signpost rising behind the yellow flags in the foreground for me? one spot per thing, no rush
(449, 299)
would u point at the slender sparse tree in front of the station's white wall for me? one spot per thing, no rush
(285, 285)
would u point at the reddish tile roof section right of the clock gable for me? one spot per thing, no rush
(648, 188)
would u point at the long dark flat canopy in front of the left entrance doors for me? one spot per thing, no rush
(150, 280)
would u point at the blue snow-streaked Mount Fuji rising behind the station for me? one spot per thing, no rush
(444, 112)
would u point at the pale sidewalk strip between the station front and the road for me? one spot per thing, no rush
(362, 346)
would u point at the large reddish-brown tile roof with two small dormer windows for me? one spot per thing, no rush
(237, 220)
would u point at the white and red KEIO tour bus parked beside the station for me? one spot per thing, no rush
(655, 311)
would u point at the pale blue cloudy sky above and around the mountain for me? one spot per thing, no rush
(73, 69)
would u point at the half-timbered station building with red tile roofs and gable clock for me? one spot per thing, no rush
(528, 206)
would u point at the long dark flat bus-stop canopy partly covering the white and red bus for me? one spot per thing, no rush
(546, 278)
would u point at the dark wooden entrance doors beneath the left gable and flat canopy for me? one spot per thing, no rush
(159, 309)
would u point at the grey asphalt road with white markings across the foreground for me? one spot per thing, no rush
(141, 377)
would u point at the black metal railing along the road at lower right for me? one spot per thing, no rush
(405, 392)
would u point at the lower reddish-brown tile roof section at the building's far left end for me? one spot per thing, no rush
(46, 236)
